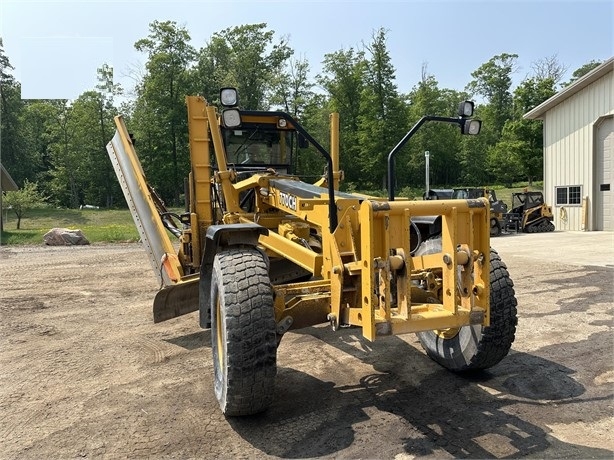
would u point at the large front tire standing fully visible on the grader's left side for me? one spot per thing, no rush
(243, 336)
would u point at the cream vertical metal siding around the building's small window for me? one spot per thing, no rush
(568, 148)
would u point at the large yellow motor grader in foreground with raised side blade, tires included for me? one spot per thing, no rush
(260, 253)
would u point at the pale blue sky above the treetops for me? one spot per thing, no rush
(56, 46)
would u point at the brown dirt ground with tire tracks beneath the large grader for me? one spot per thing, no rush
(85, 373)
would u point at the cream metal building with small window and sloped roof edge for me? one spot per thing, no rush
(578, 125)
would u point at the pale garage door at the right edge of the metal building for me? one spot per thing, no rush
(604, 177)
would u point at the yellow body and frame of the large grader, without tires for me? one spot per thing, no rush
(364, 272)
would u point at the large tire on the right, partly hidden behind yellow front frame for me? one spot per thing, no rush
(478, 347)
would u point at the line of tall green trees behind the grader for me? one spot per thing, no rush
(61, 145)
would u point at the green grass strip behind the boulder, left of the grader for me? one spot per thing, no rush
(109, 226)
